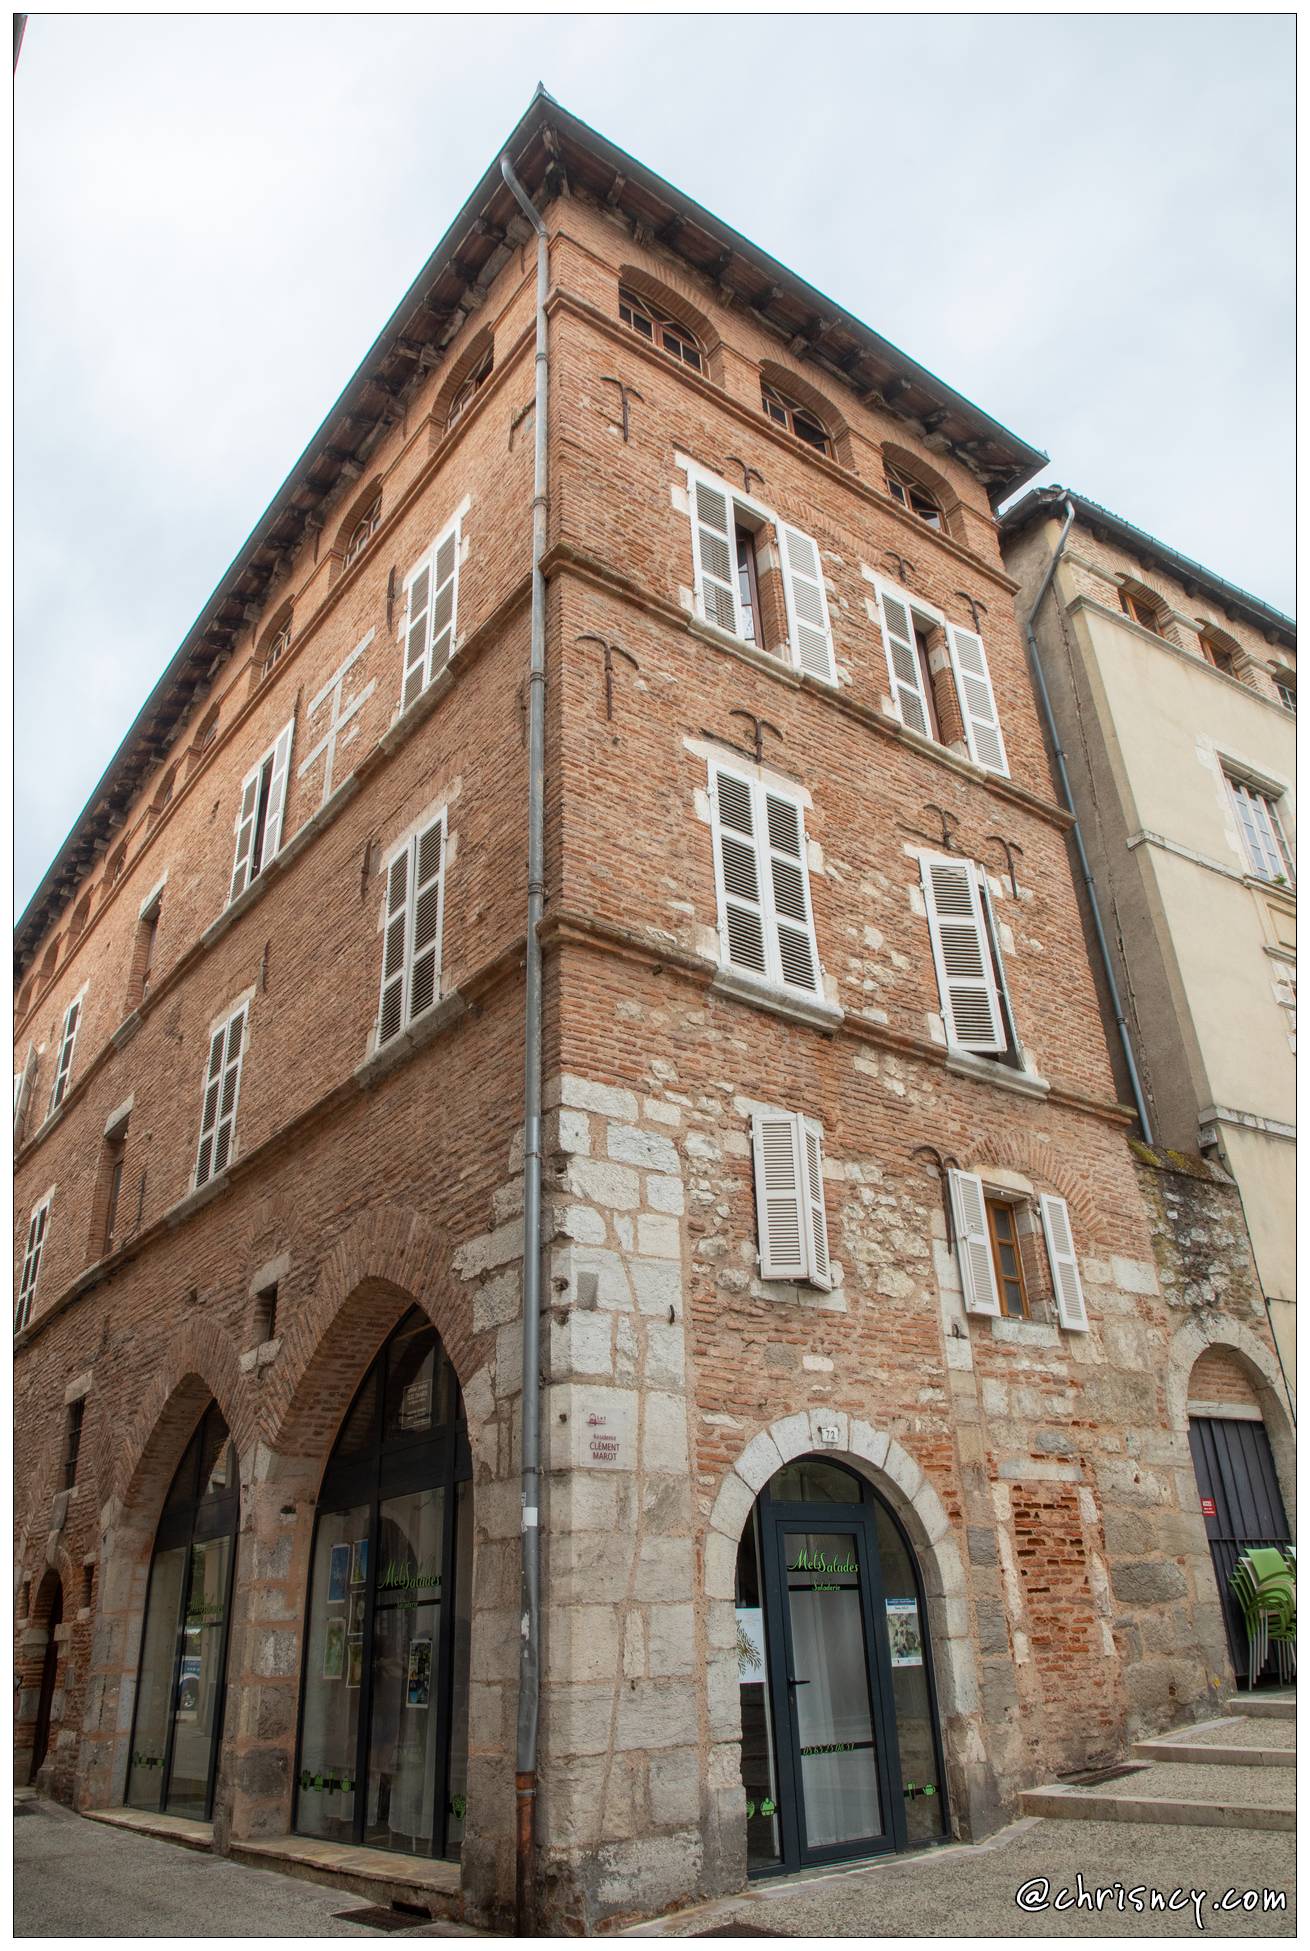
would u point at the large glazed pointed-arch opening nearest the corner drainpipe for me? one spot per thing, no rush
(384, 1739)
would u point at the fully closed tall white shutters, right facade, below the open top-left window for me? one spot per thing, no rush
(766, 926)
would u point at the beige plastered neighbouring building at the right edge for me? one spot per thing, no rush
(1176, 701)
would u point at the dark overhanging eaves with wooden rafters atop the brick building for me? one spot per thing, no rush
(552, 153)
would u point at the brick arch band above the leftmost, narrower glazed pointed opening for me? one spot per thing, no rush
(198, 1367)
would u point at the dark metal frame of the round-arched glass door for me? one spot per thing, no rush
(776, 1519)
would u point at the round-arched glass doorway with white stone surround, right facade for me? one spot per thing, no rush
(840, 1745)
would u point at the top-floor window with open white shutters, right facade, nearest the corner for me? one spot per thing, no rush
(727, 534)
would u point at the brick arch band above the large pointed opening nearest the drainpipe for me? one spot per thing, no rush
(386, 1263)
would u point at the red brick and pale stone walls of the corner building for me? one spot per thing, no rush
(1040, 1474)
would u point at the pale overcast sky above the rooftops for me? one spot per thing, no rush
(1081, 223)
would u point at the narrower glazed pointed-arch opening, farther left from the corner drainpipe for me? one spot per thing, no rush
(181, 1694)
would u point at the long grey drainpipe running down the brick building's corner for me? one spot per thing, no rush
(530, 1529)
